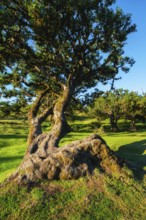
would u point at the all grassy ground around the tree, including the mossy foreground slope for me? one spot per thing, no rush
(94, 197)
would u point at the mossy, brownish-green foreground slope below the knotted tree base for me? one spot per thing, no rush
(94, 197)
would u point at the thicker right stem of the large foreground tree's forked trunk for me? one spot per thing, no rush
(44, 144)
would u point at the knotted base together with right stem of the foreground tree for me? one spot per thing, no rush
(45, 160)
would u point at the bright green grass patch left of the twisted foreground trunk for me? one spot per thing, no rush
(12, 147)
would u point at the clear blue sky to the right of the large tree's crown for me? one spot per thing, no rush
(135, 79)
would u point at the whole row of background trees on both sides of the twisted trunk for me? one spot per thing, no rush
(114, 105)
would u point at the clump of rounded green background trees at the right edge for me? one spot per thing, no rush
(119, 104)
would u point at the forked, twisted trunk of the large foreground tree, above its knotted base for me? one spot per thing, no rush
(41, 145)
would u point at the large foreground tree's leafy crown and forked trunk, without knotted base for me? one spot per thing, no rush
(52, 51)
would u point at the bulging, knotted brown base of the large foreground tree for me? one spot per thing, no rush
(72, 161)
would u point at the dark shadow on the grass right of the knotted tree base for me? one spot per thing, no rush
(134, 154)
